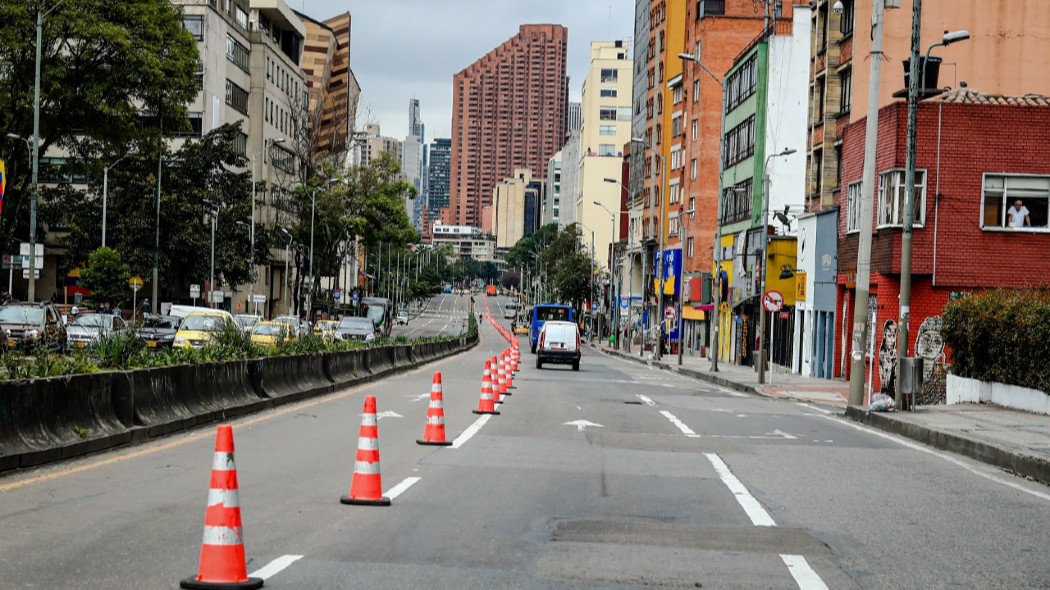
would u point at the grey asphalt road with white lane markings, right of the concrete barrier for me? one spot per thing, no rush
(615, 477)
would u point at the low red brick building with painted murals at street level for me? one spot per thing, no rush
(977, 156)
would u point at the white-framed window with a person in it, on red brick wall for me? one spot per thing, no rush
(1002, 195)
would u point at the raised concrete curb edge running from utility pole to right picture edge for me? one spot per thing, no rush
(1036, 468)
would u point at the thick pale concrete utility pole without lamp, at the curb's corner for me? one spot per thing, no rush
(864, 278)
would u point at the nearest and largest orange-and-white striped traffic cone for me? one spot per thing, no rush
(223, 550)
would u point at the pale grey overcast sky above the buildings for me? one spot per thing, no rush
(406, 49)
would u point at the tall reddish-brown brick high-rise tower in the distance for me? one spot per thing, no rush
(509, 112)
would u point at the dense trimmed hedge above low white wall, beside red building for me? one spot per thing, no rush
(1002, 335)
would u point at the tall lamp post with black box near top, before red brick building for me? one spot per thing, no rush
(910, 184)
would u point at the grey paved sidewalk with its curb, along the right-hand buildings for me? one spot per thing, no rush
(1016, 441)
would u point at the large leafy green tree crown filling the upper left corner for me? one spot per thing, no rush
(113, 76)
